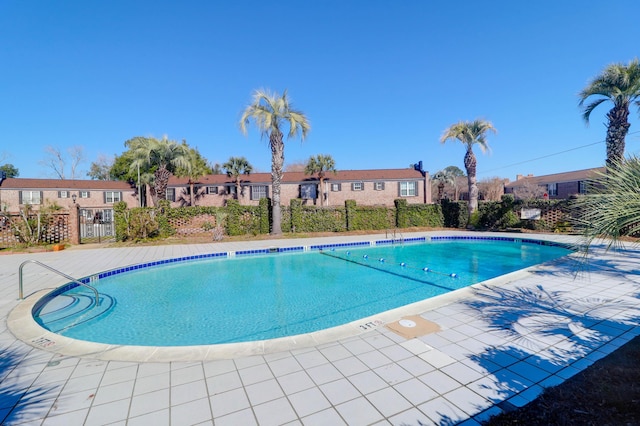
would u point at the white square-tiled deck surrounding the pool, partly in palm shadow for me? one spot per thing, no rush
(499, 345)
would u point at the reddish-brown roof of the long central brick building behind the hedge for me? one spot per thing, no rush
(295, 177)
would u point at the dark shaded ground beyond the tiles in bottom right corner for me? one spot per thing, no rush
(606, 393)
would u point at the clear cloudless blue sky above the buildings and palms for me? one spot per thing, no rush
(379, 80)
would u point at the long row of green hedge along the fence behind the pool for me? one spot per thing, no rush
(138, 223)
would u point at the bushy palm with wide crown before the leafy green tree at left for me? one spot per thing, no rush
(165, 155)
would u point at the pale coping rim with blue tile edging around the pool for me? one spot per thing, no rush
(24, 327)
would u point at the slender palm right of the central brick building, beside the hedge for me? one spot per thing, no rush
(470, 133)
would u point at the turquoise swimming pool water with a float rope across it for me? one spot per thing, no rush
(224, 300)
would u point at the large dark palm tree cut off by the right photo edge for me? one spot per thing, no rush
(619, 84)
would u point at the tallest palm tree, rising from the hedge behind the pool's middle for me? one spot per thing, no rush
(270, 113)
